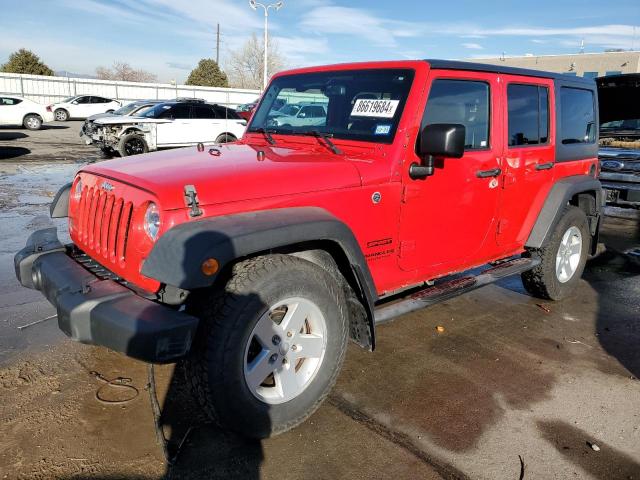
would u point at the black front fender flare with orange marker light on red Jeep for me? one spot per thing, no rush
(177, 256)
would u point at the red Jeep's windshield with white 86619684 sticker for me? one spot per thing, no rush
(350, 104)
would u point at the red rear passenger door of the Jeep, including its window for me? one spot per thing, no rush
(528, 155)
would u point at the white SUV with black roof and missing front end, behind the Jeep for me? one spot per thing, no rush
(176, 123)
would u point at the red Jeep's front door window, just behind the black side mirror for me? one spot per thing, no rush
(461, 101)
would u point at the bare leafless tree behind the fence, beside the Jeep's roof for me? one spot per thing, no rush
(245, 65)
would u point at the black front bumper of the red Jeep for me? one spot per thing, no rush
(102, 312)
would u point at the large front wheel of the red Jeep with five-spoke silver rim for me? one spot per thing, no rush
(271, 345)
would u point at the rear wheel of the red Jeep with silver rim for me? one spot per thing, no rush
(563, 258)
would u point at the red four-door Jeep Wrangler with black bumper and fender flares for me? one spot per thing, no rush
(256, 261)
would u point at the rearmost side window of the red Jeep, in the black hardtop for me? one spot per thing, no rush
(577, 118)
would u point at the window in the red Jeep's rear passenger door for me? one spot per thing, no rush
(528, 114)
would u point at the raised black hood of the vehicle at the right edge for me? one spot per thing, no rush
(614, 93)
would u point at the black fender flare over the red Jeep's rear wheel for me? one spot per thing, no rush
(560, 195)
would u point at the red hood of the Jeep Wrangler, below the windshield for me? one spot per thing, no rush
(232, 173)
